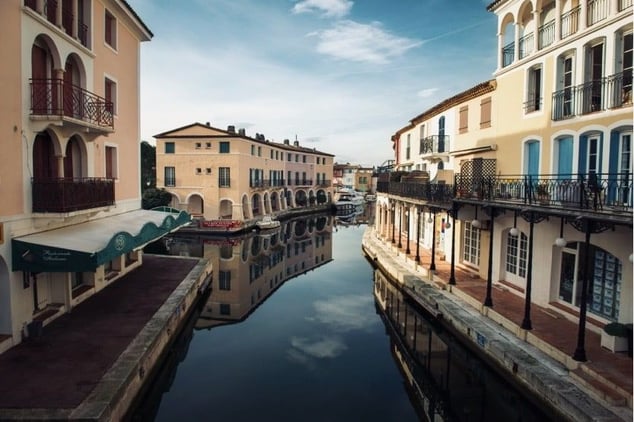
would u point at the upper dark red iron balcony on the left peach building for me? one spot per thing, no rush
(54, 98)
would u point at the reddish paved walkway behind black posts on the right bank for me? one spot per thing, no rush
(608, 374)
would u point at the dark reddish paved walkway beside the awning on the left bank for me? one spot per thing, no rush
(61, 368)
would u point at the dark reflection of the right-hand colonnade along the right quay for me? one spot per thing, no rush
(445, 382)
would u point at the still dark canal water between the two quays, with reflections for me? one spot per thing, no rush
(299, 326)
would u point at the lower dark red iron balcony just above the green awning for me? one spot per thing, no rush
(72, 194)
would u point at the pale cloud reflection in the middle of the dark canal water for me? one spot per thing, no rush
(336, 315)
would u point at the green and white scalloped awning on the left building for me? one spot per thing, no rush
(85, 246)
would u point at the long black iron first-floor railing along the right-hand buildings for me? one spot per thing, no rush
(595, 191)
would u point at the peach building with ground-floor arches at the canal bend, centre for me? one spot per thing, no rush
(227, 177)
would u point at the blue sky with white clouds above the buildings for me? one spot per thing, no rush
(340, 75)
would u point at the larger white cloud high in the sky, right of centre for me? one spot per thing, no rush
(349, 40)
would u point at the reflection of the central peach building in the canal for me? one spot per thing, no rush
(249, 269)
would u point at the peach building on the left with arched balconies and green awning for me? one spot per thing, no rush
(70, 221)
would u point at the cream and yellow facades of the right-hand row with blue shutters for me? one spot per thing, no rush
(539, 191)
